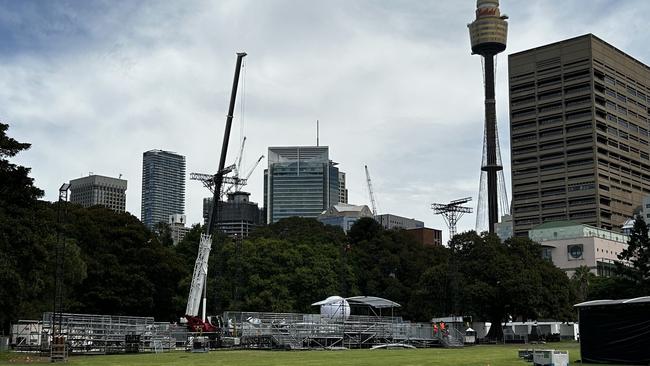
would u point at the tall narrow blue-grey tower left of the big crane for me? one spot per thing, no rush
(163, 186)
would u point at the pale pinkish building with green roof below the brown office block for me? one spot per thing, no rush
(570, 245)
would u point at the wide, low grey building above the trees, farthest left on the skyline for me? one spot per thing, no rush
(99, 190)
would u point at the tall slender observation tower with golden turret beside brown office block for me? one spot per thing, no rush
(488, 35)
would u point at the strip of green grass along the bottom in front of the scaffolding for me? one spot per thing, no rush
(477, 355)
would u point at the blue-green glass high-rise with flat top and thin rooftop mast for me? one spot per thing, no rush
(299, 181)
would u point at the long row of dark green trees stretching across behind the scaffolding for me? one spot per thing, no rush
(115, 265)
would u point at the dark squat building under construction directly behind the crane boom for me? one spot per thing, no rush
(238, 216)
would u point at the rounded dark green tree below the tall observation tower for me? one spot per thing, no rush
(510, 279)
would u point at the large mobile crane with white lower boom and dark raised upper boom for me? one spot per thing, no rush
(200, 273)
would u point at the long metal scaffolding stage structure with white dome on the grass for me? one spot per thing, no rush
(333, 328)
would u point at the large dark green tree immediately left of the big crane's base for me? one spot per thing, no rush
(129, 271)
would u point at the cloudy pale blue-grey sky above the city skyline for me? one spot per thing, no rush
(94, 84)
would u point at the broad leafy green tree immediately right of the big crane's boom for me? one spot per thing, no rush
(283, 267)
